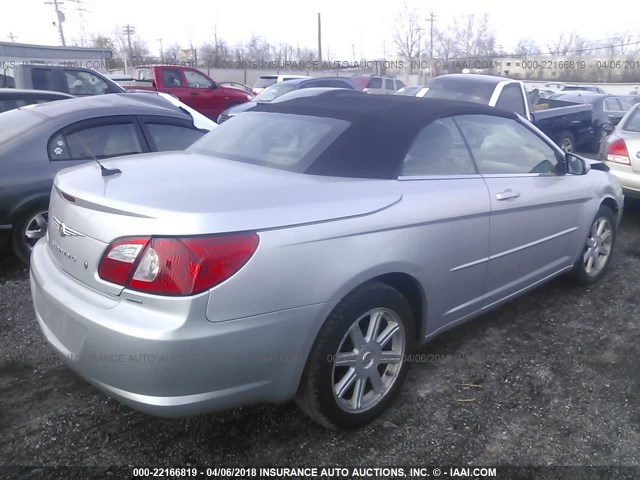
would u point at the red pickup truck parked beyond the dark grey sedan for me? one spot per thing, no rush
(190, 86)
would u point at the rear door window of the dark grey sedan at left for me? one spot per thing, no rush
(99, 141)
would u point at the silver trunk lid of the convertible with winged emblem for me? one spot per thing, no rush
(179, 193)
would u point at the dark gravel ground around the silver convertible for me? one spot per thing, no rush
(549, 379)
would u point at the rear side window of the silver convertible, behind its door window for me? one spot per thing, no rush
(439, 149)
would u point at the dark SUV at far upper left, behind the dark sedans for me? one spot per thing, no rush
(74, 81)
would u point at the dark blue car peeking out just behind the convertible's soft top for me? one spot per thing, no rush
(276, 90)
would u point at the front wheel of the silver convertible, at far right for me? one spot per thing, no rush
(593, 248)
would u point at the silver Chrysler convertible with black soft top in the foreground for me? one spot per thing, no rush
(303, 249)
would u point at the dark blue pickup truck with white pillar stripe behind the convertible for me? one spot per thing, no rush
(568, 124)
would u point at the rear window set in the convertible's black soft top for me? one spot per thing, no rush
(276, 140)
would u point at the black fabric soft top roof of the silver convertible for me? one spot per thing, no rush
(382, 128)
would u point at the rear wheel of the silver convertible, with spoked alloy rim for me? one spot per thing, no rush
(316, 396)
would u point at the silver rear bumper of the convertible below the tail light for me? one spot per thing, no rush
(172, 364)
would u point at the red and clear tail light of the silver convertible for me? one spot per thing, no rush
(176, 266)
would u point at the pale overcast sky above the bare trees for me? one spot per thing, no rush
(363, 26)
